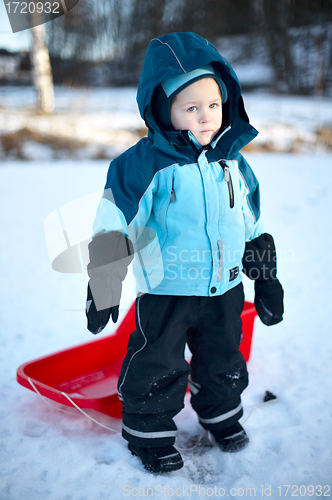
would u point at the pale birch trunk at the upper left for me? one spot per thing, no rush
(41, 70)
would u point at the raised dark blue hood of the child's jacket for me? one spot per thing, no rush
(178, 53)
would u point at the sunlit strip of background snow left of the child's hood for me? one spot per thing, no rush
(102, 120)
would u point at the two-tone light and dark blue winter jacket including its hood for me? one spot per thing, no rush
(188, 210)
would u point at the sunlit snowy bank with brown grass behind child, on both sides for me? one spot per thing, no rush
(105, 121)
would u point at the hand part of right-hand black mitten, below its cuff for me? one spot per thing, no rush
(269, 301)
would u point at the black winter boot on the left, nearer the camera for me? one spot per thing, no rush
(158, 460)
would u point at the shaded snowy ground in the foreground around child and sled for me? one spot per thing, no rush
(46, 454)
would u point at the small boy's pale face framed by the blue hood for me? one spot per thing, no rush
(198, 108)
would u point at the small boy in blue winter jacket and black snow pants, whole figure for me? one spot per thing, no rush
(186, 203)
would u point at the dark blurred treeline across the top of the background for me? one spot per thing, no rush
(104, 41)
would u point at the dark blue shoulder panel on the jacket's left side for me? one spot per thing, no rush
(130, 174)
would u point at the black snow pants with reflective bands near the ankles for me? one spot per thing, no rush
(154, 375)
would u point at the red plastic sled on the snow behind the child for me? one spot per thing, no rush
(88, 373)
